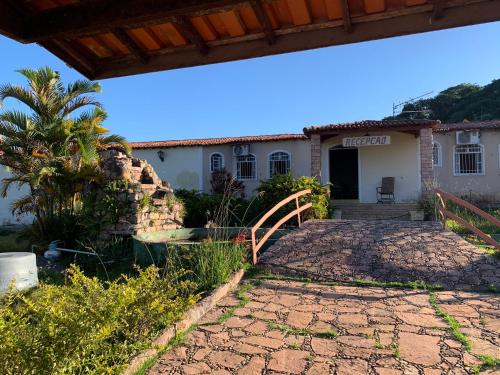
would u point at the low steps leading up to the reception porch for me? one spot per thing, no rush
(373, 211)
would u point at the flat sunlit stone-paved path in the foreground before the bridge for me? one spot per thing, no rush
(380, 331)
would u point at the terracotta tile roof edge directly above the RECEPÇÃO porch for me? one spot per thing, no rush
(371, 124)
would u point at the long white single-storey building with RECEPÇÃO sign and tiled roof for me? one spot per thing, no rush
(463, 159)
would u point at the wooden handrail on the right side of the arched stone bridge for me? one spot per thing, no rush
(445, 214)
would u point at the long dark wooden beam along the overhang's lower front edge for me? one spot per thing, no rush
(370, 27)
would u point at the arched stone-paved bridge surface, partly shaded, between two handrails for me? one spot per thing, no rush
(382, 250)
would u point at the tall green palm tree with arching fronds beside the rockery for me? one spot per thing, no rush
(53, 147)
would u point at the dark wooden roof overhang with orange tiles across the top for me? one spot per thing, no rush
(110, 38)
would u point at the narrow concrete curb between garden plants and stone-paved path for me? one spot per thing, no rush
(192, 316)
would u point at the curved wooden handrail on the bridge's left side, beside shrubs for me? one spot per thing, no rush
(256, 246)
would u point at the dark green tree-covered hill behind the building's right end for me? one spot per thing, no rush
(458, 103)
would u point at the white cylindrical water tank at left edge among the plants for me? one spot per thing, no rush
(20, 267)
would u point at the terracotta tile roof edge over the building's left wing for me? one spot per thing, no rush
(217, 141)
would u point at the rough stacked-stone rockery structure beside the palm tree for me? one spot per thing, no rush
(148, 203)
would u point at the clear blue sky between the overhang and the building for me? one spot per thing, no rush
(282, 94)
